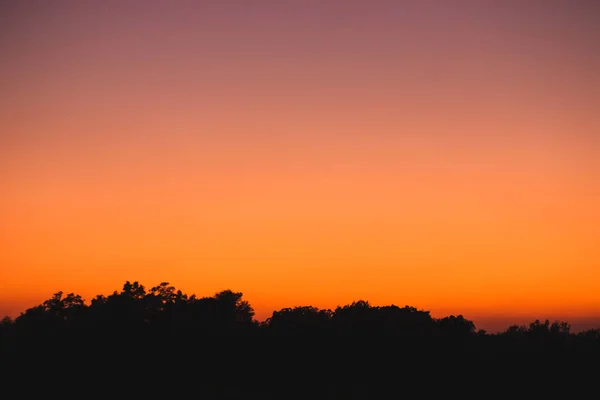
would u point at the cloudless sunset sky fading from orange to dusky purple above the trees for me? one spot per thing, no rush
(438, 154)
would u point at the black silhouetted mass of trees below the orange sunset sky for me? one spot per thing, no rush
(153, 342)
